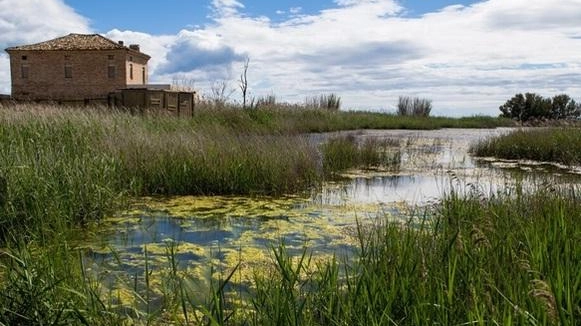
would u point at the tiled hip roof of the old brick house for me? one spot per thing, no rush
(73, 42)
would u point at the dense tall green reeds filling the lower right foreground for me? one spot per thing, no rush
(507, 260)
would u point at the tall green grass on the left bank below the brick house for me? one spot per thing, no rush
(61, 168)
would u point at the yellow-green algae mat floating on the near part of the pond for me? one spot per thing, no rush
(206, 237)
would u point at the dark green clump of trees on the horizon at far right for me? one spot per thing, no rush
(533, 106)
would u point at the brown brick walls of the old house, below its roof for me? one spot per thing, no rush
(72, 75)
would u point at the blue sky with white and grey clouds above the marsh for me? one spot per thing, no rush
(467, 56)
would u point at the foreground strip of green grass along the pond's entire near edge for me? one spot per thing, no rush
(511, 259)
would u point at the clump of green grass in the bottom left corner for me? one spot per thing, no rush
(48, 286)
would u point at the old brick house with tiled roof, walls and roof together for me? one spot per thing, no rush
(76, 67)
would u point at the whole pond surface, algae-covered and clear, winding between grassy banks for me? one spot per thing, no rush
(209, 235)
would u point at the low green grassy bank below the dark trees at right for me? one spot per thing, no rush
(561, 145)
